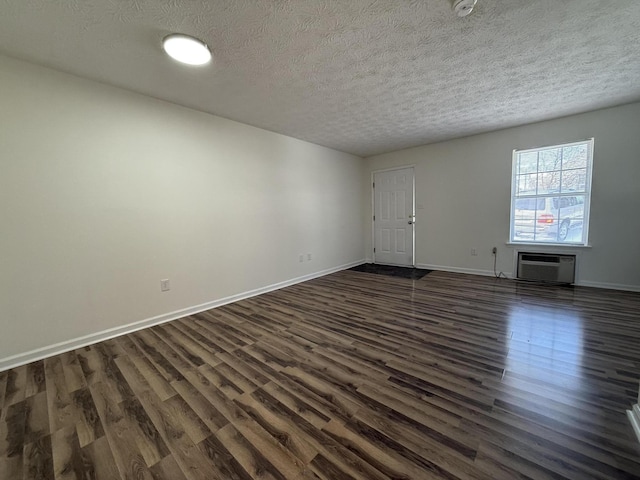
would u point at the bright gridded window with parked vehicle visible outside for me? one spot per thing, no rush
(551, 194)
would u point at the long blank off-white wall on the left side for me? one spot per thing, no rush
(104, 192)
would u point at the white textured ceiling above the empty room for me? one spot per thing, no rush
(361, 76)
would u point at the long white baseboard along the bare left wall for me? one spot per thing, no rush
(62, 347)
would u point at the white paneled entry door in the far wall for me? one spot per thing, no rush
(393, 217)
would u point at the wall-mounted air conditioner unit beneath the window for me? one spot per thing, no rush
(546, 267)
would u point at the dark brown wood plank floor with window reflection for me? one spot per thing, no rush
(350, 376)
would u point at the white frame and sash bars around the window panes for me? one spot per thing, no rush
(584, 242)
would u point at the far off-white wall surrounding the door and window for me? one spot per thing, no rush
(464, 187)
